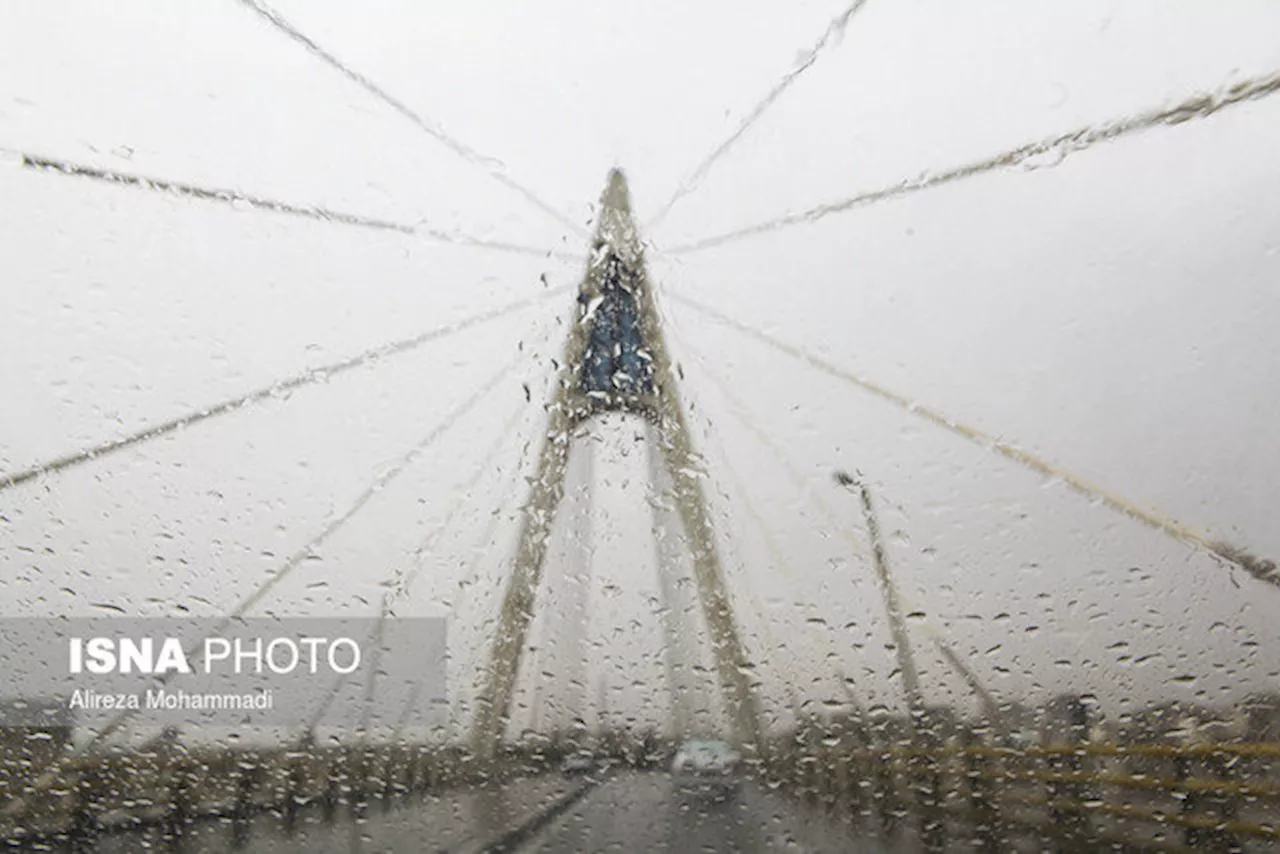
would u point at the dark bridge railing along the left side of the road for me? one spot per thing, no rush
(53, 796)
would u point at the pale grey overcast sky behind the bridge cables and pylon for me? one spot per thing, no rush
(1113, 312)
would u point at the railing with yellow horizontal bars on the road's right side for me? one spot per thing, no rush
(1148, 796)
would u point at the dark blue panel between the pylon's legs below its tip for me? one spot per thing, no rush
(616, 359)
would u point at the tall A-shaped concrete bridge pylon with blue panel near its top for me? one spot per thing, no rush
(615, 360)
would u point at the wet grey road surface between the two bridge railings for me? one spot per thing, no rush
(624, 811)
